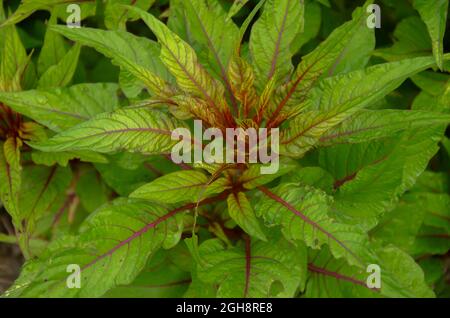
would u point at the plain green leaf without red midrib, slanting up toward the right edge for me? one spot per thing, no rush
(375, 188)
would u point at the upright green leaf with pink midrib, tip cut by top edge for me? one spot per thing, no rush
(271, 38)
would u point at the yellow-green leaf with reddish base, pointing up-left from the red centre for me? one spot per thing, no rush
(182, 62)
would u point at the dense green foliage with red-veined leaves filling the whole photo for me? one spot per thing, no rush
(87, 179)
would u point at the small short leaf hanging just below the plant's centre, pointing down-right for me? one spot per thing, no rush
(242, 213)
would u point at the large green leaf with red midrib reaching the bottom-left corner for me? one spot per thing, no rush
(111, 249)
